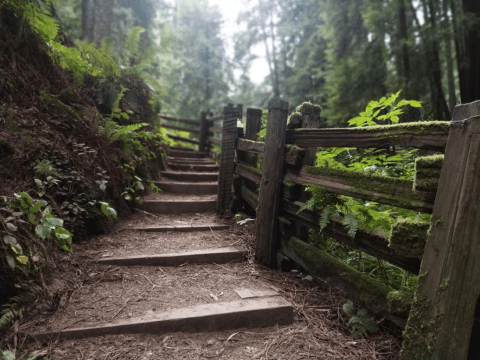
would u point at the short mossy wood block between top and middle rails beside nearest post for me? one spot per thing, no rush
(427, 172)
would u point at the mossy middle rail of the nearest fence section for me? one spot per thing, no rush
(398, 193)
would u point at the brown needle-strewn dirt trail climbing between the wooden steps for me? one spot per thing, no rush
(117, 295)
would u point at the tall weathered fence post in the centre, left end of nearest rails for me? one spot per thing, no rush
(270, 187)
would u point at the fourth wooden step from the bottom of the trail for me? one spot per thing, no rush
(178, 206)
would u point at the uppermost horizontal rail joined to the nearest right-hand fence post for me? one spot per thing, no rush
(343, 137)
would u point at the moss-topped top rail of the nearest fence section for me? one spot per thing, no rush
(431, 135)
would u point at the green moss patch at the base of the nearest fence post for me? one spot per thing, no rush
(420, 334)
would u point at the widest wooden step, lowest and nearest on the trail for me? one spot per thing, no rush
(245, 313)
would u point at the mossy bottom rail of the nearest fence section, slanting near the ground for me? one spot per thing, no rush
(359, 287)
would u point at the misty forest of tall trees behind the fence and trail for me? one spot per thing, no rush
(339, 54)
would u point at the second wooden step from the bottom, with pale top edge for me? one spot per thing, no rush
(217, 256)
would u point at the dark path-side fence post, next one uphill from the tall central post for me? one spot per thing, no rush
(227, 159)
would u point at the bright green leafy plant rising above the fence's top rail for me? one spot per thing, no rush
(384, 109)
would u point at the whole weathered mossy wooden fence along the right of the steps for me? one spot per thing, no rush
(443, 319)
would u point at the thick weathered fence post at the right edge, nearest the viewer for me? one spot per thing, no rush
(442, 316)
